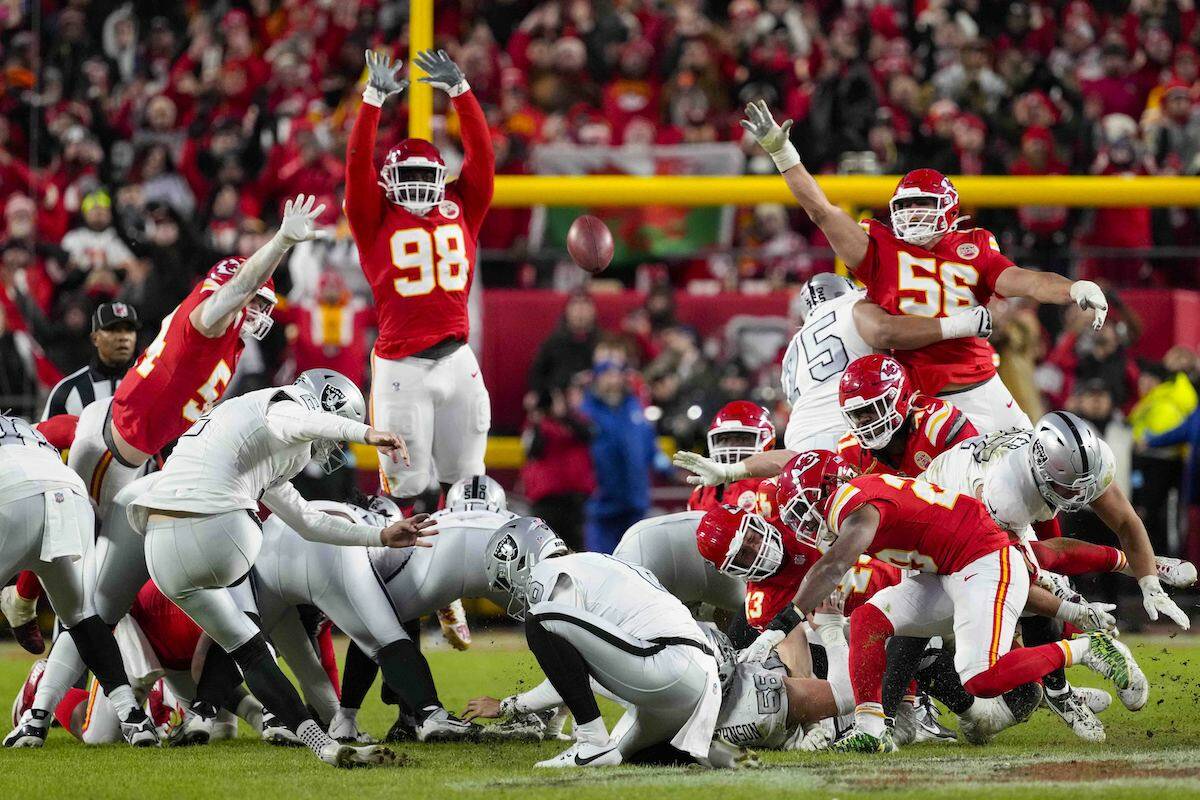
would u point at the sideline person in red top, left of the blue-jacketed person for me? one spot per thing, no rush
(557, 474)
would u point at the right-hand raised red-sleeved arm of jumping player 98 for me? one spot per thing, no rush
(477, 178)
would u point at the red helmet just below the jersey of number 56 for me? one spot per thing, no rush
(875, 396)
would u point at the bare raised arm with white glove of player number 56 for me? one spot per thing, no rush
(845, 236)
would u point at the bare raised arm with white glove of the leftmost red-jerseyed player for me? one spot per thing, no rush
(213, 317)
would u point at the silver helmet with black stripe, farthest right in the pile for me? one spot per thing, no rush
(1072, 466)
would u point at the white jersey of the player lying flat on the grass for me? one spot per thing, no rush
(754, 711)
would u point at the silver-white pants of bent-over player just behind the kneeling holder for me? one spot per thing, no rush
(667, 546)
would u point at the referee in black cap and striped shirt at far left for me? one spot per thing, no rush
(115, 334)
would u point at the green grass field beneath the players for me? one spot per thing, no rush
(1154, 751)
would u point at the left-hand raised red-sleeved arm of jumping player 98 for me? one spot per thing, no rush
(364, 196)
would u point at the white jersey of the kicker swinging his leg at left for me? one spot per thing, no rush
(230, 458)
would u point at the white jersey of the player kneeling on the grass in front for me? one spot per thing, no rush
(628, 597)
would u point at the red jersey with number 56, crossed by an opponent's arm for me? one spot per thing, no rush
(958, 273)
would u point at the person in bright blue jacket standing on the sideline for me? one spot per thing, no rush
(625, 453)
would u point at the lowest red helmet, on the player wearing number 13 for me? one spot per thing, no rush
(740, 544)
